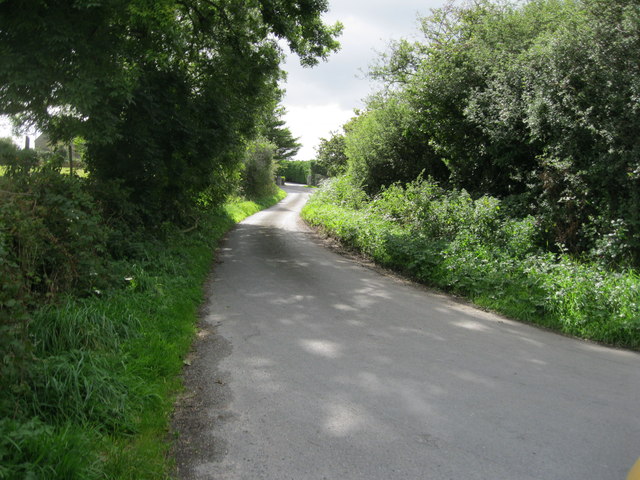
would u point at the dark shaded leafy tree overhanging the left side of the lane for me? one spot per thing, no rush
(165, 93)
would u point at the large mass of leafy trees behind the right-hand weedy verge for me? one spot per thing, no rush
(504, 99)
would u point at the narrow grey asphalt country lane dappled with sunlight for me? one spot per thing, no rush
(311, 366)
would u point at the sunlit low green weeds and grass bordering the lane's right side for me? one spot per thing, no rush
(473, 248)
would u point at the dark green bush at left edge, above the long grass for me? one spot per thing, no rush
(54, 228)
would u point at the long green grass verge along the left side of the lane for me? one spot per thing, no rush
(104, 370)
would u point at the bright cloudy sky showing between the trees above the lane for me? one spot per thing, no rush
(320, 100)
